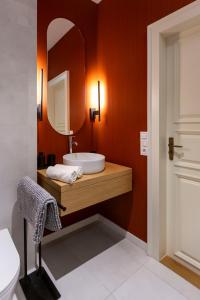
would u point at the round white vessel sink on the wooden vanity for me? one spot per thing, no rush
(90, 162)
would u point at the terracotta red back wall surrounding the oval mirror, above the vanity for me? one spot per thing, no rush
(83, 13)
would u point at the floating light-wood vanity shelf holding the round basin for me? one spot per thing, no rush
(115, 180)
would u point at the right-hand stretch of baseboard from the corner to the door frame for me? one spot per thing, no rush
(132, 238)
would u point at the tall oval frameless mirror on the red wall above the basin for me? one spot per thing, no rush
(66, 76)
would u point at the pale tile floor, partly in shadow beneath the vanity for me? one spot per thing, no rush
(95, 263)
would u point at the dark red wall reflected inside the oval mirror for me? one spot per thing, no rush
(69, 54)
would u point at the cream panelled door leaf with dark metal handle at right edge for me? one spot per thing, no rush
(183, 172)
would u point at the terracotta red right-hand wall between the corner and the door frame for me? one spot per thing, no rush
(122, 65)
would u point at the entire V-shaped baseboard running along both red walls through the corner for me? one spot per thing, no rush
(132, 238)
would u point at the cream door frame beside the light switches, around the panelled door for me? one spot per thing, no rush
(156, 193)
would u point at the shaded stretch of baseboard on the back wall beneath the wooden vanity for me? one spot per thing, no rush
(56, 235)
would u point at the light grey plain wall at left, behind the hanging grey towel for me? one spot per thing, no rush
(17, 106)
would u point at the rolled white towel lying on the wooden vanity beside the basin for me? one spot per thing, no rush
(67, 174)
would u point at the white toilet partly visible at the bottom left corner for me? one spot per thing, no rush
(9, 266)
